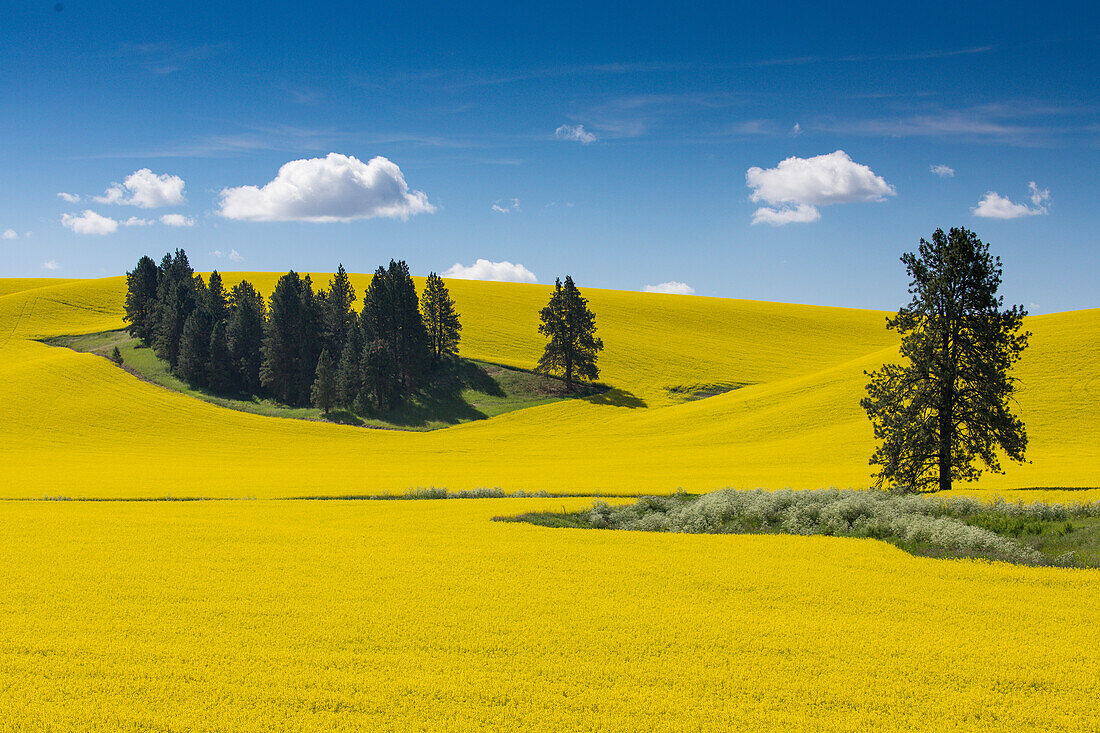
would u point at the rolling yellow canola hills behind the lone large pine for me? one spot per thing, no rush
(74, 425)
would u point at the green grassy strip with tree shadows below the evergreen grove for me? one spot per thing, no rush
(464, 390)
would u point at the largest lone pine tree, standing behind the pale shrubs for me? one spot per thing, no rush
(945, 411)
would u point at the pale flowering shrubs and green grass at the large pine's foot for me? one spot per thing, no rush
(1036, 534)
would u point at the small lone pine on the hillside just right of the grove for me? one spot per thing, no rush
(570, 326)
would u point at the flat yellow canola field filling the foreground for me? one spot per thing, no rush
(401, 616)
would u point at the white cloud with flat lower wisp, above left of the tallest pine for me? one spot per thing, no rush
(798, 185)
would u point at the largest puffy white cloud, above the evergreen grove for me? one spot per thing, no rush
(333, 189)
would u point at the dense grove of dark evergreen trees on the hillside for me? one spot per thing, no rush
(302, 346)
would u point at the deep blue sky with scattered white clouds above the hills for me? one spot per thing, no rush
(625, 135)
